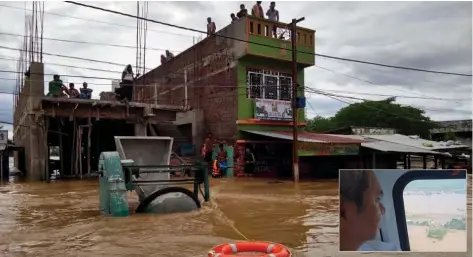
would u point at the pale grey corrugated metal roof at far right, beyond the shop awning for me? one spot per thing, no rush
(408, 141)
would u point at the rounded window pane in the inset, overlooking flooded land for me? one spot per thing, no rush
(435, 211)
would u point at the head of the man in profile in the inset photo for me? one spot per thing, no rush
(360, 208)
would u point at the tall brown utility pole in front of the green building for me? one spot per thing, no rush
(295, 156)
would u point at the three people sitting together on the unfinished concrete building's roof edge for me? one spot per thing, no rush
(58, 89)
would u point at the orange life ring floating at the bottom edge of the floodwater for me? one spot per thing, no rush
(267, 249)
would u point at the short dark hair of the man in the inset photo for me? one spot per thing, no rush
(353, 184)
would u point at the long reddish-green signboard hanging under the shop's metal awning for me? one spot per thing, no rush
(325, 149)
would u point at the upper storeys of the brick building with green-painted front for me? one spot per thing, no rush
(224, 76)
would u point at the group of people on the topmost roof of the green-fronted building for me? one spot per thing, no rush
(257, 11)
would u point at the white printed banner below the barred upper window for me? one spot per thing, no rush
(268, 109)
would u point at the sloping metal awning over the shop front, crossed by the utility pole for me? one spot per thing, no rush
(307, 137)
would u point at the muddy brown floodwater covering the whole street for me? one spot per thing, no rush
(62, 219)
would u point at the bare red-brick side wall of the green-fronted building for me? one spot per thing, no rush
(211, 85)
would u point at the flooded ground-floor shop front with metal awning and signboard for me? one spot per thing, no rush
(320, 155)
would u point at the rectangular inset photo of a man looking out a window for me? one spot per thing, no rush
(403, 210)
